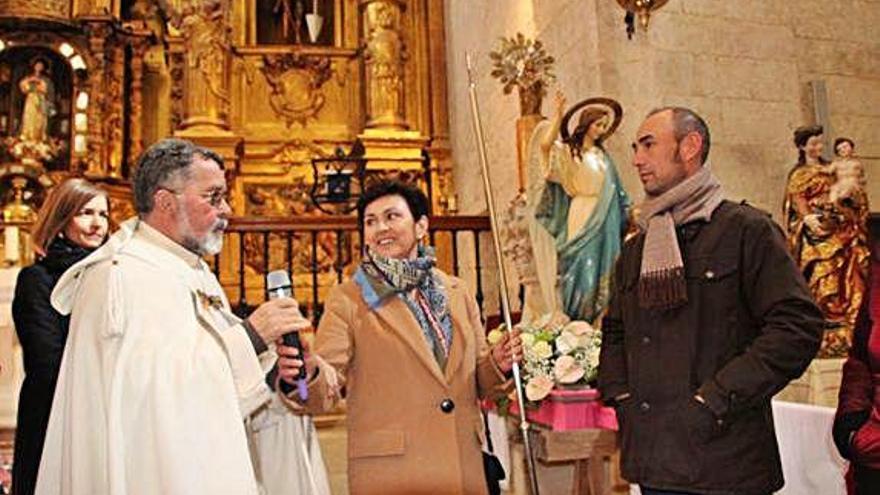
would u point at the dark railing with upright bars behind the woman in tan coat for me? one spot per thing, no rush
(319, 252)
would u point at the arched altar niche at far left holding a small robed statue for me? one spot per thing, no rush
(35, 107)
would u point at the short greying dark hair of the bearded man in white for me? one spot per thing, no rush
(165, 162)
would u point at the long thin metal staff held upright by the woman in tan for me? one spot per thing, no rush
(502, 273)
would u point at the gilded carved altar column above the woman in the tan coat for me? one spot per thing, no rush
(384, 56)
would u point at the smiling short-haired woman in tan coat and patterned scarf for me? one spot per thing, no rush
(407, 343)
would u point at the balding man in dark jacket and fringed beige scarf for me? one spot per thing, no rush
(709, 318)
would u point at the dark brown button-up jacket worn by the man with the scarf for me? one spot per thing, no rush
(748, 328)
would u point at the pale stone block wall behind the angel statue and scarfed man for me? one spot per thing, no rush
(745, 66)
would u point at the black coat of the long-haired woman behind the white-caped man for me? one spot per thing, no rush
(42, 332)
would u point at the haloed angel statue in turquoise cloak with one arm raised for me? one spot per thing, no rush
(583, 208)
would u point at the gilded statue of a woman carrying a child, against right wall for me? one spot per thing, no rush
(826, 212)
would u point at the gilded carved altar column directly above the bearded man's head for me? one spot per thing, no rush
(206, 39)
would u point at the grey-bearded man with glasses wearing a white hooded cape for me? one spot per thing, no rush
(158, 375)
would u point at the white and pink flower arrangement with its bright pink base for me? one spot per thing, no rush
(561, 359)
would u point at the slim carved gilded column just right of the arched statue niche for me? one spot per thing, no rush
(95, 160)
